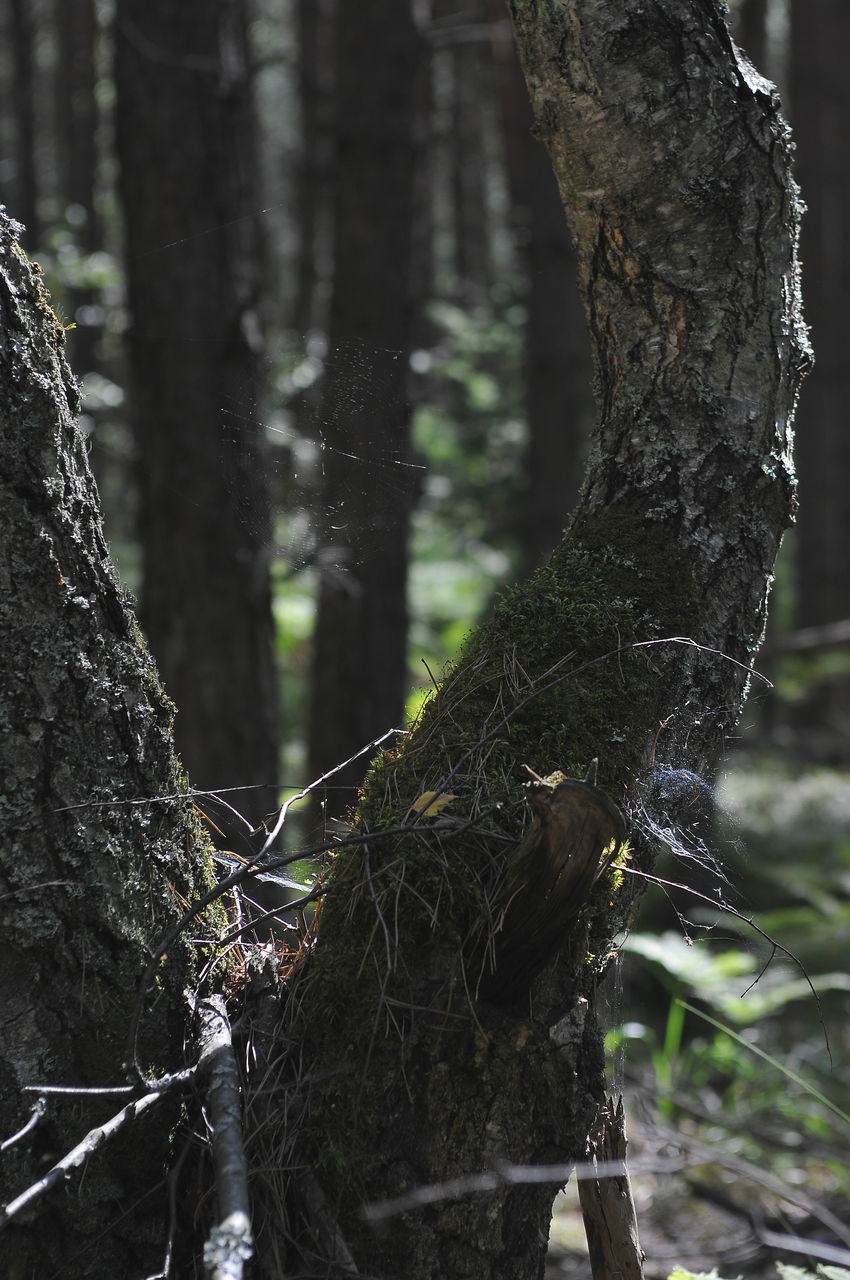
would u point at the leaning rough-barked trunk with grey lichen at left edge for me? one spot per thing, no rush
(92, 875)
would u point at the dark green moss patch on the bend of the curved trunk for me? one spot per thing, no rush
(552, 682)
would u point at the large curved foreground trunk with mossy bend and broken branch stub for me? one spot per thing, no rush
(674, 168)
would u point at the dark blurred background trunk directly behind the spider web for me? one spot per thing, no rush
(360, 639)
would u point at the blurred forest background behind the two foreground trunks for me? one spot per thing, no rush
(319, 292)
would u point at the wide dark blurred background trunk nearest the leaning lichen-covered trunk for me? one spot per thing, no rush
(189, 173)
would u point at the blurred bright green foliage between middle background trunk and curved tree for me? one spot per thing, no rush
(469, 431)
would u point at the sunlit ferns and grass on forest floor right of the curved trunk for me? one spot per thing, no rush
(737, 1055)
